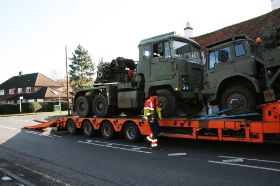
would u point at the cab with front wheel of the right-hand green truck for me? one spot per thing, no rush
(234, 74)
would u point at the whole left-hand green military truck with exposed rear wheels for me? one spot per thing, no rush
(168, 64)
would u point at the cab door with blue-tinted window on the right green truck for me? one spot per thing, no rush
(219, 65)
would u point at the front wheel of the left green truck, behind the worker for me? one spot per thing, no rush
(167, 102)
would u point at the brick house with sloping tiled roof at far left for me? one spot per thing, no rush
(34, 87)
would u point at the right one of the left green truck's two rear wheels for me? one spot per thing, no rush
(100, 106)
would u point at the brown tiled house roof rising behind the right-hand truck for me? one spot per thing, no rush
(252, 28)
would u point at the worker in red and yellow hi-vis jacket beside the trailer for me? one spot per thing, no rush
(152, 113)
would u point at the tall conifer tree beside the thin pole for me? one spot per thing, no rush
(81, 69)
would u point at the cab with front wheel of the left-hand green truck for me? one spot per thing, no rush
(172, 66)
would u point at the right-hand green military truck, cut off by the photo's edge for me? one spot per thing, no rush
(241, 74)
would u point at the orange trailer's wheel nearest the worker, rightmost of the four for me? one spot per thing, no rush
(131, 132)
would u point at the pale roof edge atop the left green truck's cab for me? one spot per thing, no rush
(167, 36)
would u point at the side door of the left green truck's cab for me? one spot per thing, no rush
(161, 63)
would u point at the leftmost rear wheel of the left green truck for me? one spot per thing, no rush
(83, 107)
